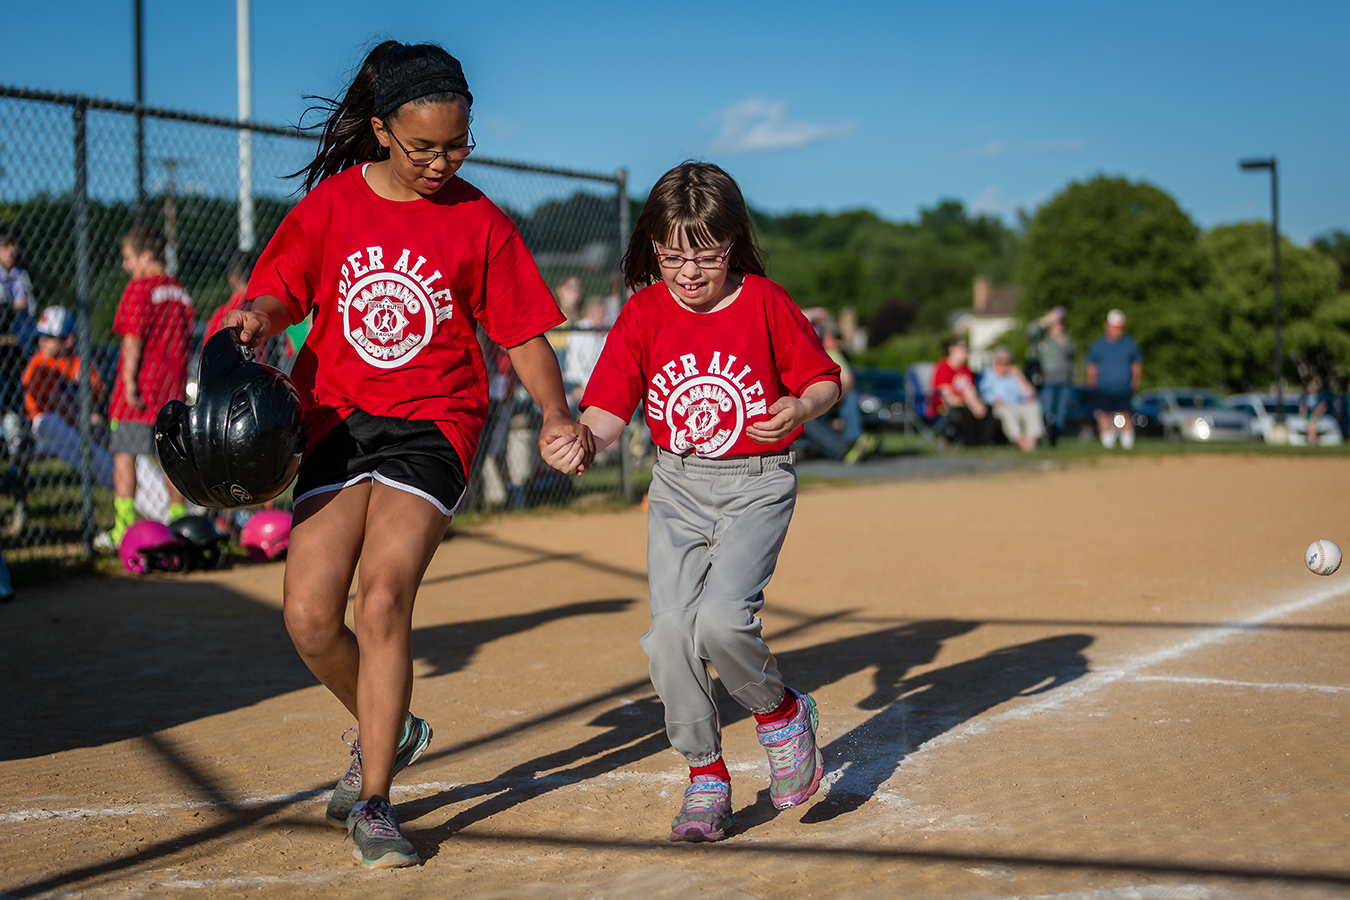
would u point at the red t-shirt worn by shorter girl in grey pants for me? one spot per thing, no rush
(705, 377)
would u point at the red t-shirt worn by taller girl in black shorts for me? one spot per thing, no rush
(396, 292)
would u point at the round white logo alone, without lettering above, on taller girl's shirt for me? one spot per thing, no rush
(388, 318)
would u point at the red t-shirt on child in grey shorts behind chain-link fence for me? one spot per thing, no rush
(159, 311)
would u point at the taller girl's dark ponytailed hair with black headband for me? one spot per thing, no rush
(392, 75)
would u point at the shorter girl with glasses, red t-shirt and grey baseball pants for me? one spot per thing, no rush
(727, 369)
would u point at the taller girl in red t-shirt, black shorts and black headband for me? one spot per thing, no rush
(399, 261)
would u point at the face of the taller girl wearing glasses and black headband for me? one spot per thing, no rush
(439, 128)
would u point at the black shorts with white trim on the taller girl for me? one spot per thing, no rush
(412, 457)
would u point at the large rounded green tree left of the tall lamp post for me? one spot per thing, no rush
(1110, 244)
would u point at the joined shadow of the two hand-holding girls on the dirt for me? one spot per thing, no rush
(911, 712)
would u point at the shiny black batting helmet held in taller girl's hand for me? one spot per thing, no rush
(240, 445)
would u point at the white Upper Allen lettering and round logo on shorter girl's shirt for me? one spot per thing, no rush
(705, 407)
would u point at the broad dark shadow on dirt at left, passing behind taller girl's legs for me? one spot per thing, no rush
(125, 659)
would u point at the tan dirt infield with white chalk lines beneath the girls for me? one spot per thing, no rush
(1109, 681)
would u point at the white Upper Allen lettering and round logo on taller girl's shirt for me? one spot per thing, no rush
(389, 315)
